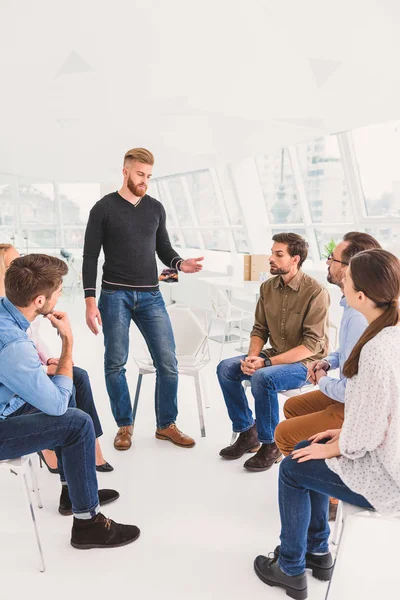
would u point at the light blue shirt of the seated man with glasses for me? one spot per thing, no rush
(352, 326)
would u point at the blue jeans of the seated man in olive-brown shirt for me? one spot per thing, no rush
(265, 385)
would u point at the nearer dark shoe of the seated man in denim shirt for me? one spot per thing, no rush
(101, 532)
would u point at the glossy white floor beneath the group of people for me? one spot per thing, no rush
(203, 519)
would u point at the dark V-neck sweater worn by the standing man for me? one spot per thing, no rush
(130, 235)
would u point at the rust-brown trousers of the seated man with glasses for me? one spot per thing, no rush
(306, 415)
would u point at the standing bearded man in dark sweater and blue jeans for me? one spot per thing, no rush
(130, 225)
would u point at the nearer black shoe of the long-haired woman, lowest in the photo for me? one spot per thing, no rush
(267, 569)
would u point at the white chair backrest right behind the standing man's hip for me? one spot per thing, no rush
(190, 336)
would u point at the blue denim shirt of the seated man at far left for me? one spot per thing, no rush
(22, 378)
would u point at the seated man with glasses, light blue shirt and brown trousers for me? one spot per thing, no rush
(308, 414)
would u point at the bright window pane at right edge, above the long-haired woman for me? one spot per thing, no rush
(378, 157)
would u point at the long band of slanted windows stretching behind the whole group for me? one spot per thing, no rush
(320, 189)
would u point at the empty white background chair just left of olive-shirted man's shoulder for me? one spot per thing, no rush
(232, 316)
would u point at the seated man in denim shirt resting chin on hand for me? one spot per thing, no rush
(34, 411)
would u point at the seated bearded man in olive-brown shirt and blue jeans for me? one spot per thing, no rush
(292, 315)
